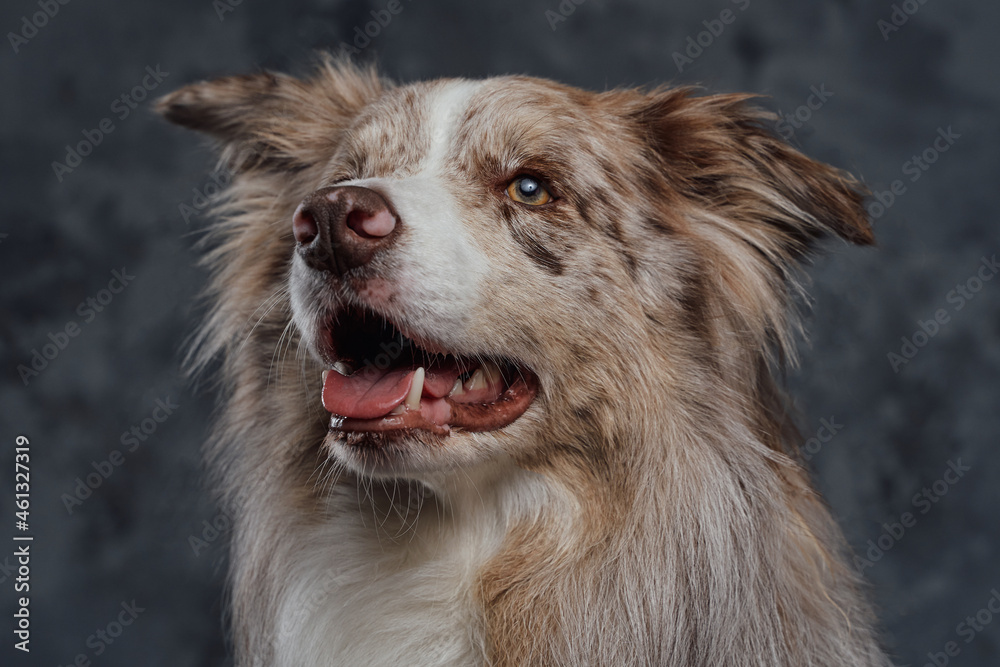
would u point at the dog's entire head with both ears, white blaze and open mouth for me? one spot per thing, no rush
(492, 266)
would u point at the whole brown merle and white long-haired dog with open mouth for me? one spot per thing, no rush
(498, 361)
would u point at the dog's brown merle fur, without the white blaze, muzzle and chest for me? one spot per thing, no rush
(654, 304)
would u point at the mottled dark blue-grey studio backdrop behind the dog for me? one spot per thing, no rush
(120, 208)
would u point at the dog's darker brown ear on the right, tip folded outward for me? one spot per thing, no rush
(720, 152)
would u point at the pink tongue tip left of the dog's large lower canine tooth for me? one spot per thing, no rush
(366, 394)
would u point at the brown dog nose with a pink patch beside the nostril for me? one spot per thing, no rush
(342, 227)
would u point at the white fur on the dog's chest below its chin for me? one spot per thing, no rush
(362, 592)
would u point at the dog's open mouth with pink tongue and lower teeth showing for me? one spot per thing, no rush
(381, 380)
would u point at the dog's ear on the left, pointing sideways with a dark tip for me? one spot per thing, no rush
(272, 120)
